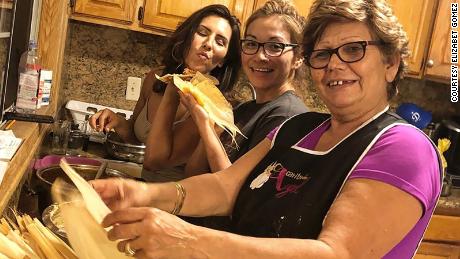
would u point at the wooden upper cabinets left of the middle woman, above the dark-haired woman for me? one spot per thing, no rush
(152, 16)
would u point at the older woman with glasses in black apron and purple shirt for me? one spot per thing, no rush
(356, 183)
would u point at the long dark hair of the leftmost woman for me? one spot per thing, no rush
(181, 39)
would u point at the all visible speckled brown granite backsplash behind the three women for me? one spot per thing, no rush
(99, 59)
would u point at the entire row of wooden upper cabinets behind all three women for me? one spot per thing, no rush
(162, 17)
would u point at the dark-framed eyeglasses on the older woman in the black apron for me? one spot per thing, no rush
(348, 52)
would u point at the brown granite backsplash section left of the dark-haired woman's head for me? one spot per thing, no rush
(99, 60)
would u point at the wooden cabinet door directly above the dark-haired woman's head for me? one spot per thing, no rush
(168, 14)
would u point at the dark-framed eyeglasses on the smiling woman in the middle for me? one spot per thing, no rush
(272, 49)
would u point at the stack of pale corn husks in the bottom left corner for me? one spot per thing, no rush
(29, 238)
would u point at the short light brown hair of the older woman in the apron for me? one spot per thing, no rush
(378, 16)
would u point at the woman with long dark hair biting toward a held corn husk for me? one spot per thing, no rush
(208, 42)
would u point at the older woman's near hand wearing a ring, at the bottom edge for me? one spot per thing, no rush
(152, 233)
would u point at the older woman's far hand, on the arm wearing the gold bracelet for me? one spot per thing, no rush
(122, 193)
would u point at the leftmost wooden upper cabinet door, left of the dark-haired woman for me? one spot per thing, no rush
(117, 10)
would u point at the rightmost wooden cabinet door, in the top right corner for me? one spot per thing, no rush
(438, 65)
